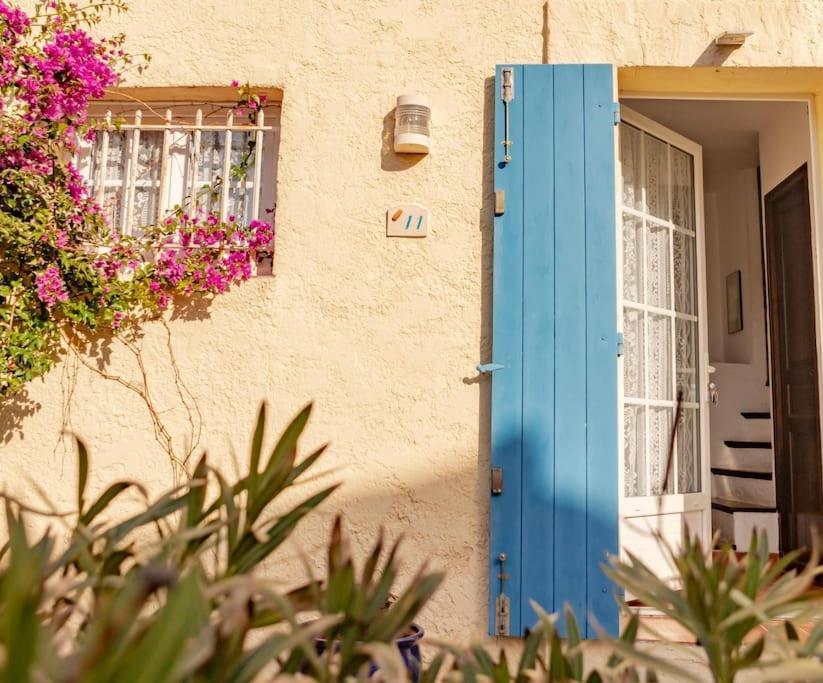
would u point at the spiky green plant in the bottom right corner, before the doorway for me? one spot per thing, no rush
(741, 611)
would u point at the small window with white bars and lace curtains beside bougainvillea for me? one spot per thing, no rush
(146, 160)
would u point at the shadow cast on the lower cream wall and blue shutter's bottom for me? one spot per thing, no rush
(445, 523)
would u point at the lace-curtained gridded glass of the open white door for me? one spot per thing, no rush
(660, 324)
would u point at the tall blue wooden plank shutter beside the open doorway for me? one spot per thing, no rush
(554, 402)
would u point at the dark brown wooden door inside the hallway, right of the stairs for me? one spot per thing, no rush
(794, 360)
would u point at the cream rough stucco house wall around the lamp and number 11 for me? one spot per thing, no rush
(383, 334)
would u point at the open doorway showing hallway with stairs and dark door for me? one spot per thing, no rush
(760, 444)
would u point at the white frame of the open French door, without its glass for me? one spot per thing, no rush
(653, 506)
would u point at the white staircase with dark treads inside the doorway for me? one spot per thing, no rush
(743, 493)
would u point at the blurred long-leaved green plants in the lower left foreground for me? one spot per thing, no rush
(170, 592)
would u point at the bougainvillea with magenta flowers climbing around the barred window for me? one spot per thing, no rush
(62, 267)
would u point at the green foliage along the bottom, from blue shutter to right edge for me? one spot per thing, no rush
(742, 613)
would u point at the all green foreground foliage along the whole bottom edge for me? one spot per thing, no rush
(170, 593)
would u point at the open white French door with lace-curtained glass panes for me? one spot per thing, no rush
(663, 319)
